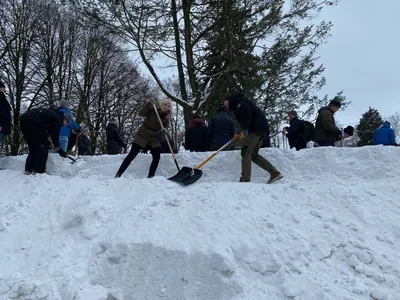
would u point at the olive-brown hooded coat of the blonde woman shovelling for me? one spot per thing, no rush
(148, 133)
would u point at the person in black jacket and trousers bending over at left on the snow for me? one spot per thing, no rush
(37, 125)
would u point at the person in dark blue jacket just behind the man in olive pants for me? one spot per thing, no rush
(221, 129)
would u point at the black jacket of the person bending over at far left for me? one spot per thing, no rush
(50, 119)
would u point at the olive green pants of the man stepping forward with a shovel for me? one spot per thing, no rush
(249, 153)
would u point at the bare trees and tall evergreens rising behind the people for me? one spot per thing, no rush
(88, 52)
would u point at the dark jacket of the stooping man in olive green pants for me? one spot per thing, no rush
(249, 116)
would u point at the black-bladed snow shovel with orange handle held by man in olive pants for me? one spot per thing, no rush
(187, 175)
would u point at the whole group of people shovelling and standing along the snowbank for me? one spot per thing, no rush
(55, 128)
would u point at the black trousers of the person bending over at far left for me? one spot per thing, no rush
(36, 137)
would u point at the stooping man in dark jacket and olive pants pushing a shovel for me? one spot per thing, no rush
(254, 128)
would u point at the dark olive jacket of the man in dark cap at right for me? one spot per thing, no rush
(325, 128)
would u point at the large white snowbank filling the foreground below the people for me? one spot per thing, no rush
(328, 230)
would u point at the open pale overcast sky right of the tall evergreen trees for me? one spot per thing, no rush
(362, 57)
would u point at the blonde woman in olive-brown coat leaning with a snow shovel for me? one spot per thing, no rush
(148, 135)
